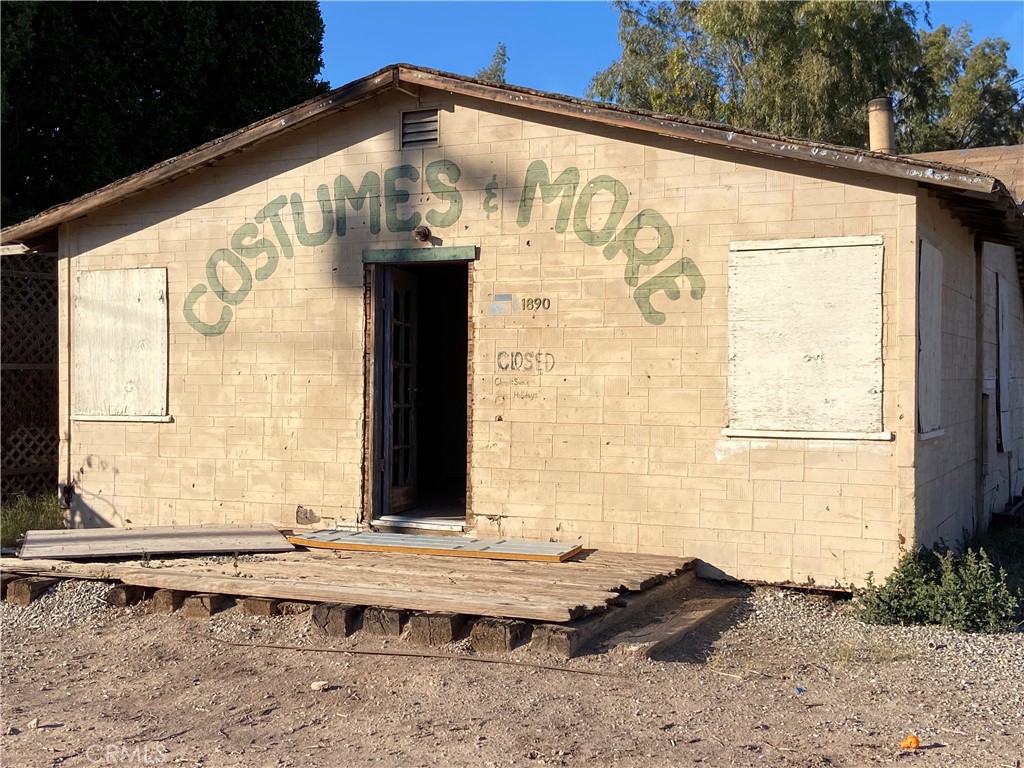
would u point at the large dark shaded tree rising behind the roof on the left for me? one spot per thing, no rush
(96, 92)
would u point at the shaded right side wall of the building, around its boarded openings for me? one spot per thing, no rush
(964, 472)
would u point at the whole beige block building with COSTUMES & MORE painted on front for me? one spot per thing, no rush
(424, 303)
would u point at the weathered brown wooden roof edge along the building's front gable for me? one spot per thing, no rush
(978, 199)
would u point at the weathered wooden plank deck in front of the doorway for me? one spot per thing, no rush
(536, 591)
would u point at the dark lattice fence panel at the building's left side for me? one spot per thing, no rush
(28, 374)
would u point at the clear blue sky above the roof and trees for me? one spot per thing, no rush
(552, 47)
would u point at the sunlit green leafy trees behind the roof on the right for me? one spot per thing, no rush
(808, 69)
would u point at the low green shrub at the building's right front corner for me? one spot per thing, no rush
(938, 586)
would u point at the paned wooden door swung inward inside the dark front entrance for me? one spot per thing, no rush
(401, 391)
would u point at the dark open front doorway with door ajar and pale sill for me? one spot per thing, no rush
(422, 375)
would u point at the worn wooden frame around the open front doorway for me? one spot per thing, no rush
(374, 442)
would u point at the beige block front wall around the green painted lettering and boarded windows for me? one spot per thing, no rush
(619, 445)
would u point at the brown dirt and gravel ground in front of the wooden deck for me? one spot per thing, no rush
(784, 680)
